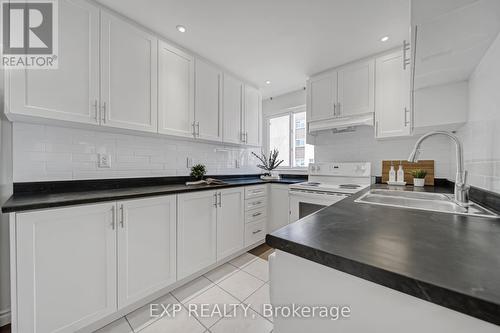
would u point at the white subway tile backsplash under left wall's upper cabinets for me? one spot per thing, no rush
(43, 152)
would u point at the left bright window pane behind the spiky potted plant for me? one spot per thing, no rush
(279, 137)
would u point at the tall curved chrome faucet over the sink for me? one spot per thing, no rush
(461, 187)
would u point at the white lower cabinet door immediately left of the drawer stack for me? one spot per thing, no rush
(230, 222)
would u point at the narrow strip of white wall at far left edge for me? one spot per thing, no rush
(5, 192)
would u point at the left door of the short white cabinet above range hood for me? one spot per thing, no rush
(321, 96)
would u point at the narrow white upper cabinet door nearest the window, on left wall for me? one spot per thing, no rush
(253, 107)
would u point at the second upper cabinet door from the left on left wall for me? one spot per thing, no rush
(128, 76)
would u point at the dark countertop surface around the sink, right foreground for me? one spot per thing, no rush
(450, 260)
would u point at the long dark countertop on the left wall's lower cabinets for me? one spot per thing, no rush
(34, 200)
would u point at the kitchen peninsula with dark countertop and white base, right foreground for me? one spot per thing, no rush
(397, 269)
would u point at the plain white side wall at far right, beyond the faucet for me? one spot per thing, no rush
(481, 134)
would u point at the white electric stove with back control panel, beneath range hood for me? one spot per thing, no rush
(327, 184)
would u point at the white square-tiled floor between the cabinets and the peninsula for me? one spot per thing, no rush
(244, 280)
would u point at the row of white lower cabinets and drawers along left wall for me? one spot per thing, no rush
(74, 266)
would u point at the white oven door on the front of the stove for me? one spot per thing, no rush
(303, 203)
